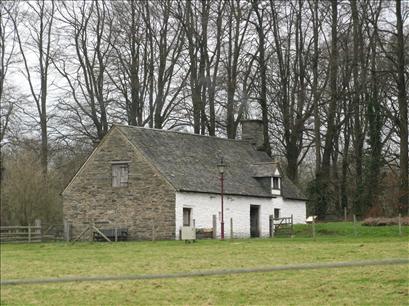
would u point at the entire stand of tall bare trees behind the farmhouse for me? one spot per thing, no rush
(330, 75)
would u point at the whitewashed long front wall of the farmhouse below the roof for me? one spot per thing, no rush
(204, 206)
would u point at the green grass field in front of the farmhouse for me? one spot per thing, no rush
(380, 285)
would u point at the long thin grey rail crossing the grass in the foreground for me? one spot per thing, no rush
(308, 266)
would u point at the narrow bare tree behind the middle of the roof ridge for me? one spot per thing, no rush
(202, 25)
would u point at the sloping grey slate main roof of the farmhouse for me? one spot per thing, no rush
(189, 162)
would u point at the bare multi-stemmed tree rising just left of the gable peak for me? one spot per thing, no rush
(90, 28)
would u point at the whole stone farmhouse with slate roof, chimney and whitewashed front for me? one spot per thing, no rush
(153, 182)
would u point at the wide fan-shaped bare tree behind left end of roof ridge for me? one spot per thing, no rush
(146, 68)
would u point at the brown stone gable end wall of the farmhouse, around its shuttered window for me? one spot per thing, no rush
(146, 207)
